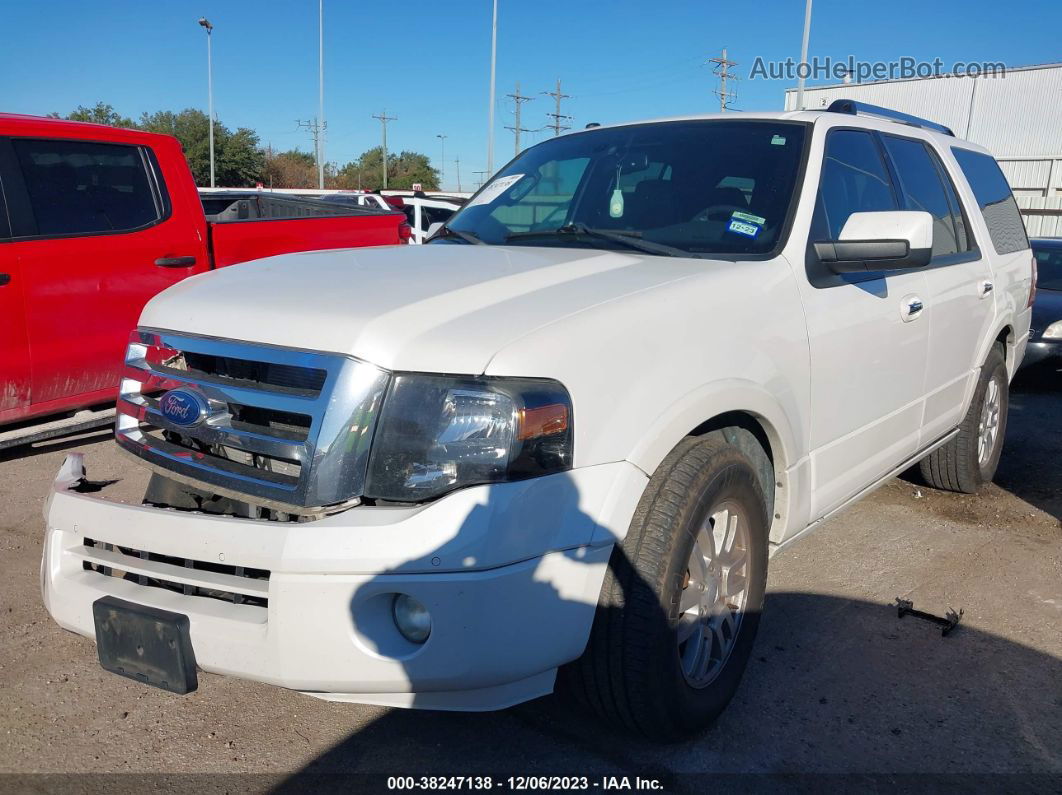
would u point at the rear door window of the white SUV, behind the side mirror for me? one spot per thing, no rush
(923, 188)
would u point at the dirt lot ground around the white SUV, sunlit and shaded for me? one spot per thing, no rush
(837, 685)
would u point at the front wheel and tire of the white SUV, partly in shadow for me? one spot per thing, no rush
(632, 672)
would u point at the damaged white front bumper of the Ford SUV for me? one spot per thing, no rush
(510, 573)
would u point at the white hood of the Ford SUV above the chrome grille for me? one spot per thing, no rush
(442, 308)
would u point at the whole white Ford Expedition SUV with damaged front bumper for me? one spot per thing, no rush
(564, 438)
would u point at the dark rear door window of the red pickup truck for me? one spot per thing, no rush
(84, 188)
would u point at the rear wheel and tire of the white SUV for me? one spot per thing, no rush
(963, 464)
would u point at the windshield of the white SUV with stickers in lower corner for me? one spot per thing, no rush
(667, 188)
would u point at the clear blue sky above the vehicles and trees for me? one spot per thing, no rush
(429, 63)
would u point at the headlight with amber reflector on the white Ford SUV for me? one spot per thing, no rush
(438, 434)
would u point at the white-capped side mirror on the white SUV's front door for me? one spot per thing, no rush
(889, 240)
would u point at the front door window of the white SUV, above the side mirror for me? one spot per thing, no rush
(854, 180)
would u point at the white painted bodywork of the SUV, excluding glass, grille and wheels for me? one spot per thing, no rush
(649, 349)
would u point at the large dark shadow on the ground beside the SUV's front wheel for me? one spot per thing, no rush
(834, 685)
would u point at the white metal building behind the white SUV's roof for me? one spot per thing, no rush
(1018, 116)
